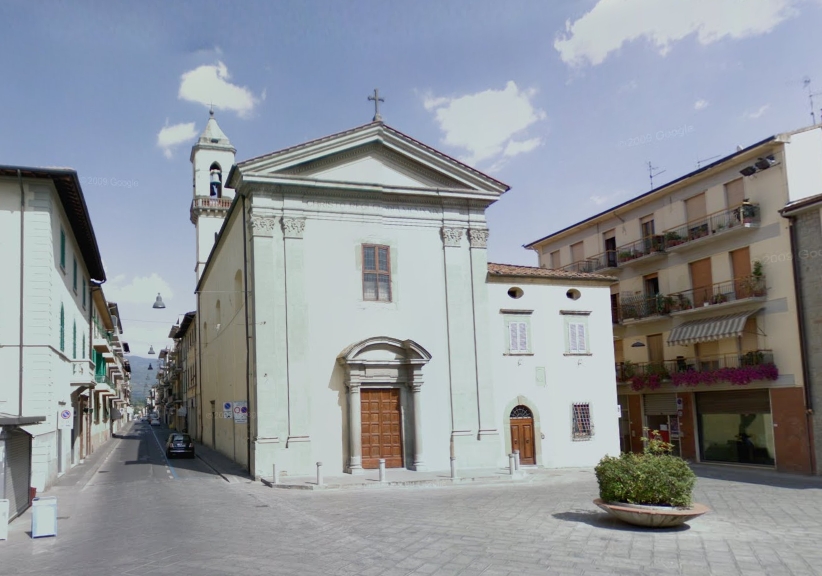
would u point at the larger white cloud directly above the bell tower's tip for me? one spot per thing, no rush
(208, 85)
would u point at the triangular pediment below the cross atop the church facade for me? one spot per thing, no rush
(372, 156)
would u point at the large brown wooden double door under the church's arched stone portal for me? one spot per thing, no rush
(381, 427)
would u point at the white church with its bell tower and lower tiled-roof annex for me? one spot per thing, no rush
(347, 312)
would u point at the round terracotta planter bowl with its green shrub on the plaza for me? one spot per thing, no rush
(653, 489)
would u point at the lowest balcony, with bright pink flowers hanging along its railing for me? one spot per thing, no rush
(669, 370)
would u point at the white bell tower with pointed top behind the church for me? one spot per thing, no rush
(211, 159)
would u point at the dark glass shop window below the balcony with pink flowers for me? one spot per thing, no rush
(736, 427)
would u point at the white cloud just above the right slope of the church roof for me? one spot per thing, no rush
(485, 124)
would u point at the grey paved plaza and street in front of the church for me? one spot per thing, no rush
(127, 511)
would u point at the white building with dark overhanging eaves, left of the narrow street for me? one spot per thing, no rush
(49, 331)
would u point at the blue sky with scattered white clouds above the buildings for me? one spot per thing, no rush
(565, 100)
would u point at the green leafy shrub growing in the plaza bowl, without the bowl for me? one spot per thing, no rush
(654, 478)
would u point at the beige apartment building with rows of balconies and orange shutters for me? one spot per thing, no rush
(705, 314)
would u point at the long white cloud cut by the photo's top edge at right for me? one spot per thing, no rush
(612, 23)
